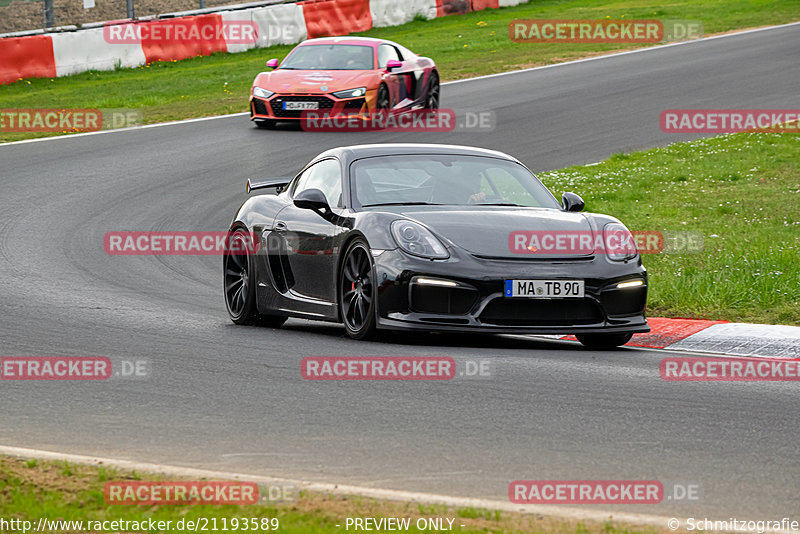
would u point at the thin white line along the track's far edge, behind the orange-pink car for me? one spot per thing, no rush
(477, 78)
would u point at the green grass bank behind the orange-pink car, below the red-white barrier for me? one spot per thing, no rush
(466, 45)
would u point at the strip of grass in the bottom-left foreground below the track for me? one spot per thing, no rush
(32, 490)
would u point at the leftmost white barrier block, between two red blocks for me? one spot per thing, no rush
(85, 50)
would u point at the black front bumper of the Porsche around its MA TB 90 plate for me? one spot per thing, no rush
(473, 299)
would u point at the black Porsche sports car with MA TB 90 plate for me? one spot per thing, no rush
(432, 238)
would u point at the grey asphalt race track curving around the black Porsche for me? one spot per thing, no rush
(226, 397)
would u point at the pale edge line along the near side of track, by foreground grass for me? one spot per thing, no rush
(340, 489)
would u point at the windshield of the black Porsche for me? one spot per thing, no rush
(446, 180)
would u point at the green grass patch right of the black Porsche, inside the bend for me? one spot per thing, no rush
(742, 192)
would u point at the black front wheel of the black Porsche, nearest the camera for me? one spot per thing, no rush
(357, 291)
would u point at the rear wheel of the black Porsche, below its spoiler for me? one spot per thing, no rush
(239, 284)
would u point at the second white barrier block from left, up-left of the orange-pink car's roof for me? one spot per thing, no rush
(281, 24)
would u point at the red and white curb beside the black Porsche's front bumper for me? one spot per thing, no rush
(719, 337)
